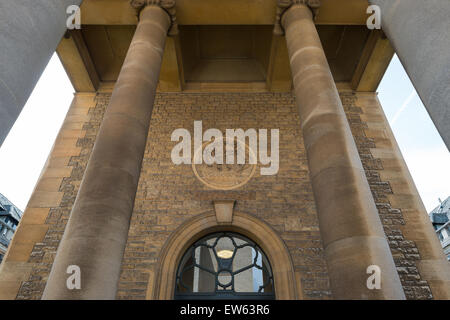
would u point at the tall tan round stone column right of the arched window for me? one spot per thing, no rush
(351, 230)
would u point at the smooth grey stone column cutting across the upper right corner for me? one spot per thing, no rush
(419, 31)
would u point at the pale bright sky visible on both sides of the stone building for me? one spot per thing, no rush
(25, 150)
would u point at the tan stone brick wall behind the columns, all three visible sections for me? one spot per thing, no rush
(169, 195)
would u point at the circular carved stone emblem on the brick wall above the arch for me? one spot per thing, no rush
(224, 176)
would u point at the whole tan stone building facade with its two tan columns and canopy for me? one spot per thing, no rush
(111, 201)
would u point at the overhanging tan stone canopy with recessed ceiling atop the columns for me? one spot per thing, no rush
(220, 40)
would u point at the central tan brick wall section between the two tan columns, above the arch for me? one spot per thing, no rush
(168, 195)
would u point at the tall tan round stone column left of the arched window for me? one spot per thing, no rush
(97, 230)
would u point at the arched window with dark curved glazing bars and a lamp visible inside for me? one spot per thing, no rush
(224, 265)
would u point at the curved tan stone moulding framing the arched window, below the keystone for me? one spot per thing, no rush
(203, 224)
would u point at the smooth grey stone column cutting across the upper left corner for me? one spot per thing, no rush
(30, 33)
